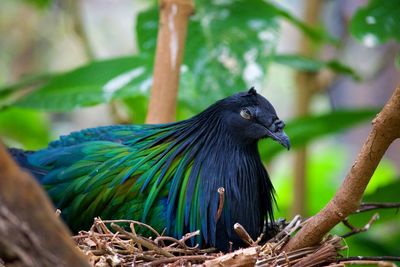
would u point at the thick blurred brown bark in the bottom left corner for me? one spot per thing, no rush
(30, 232)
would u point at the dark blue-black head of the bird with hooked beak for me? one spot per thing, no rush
(250, 117)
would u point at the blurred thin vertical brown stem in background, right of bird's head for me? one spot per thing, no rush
(306, 86)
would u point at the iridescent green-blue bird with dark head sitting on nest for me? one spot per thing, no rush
(168, 175)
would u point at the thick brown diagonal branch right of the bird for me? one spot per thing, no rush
(385, 129)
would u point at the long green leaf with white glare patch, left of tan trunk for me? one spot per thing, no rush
(95, 83)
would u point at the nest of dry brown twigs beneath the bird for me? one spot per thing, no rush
(107, 243)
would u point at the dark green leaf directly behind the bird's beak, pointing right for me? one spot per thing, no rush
(302, 131)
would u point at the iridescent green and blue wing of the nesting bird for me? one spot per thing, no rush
(114, 180)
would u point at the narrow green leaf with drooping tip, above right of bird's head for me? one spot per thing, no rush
(303, 63)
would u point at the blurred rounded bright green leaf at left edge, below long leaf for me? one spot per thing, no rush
(24, 128)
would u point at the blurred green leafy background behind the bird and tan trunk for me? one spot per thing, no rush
(67, 65)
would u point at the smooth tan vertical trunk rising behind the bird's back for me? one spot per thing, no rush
(174, 15)
